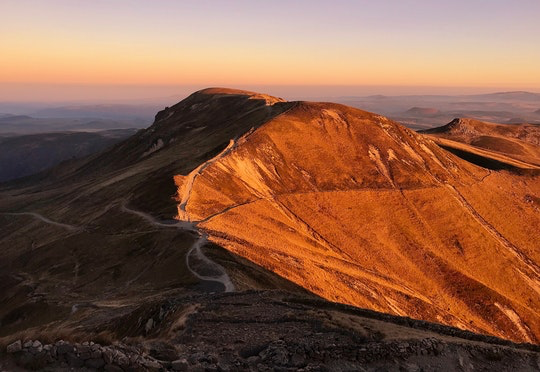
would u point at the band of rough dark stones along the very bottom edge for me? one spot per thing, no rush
(307, 355)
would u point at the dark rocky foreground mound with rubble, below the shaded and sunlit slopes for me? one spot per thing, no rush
(272, 331)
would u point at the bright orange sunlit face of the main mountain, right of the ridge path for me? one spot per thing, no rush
(361, 210)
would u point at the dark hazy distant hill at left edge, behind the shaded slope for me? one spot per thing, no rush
(25, 155)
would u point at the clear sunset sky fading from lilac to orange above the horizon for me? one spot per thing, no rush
(62, 49)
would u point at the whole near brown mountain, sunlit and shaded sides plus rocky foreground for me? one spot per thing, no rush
(316, 204)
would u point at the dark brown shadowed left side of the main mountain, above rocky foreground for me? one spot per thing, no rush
(75, 235)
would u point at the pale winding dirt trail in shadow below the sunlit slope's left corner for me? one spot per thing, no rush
(222, 277)
